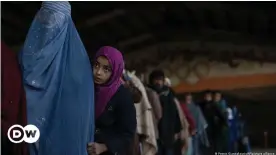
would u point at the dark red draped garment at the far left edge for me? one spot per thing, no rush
(13, 101)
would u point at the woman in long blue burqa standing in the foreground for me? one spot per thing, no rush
(58, 81)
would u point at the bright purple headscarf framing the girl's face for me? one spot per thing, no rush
(105, 92)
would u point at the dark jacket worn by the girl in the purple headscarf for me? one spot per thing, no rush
(116, 126)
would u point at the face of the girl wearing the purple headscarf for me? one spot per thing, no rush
(102, 70)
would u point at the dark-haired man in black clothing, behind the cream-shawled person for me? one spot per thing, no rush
(169, 125)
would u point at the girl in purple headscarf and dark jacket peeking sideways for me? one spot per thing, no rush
(115, 112)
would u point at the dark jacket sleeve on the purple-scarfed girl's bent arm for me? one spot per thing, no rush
(126, 118)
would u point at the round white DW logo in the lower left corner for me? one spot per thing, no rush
(18, 134)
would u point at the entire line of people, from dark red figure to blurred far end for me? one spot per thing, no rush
(102, 109)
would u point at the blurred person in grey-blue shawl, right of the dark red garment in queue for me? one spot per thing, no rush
(200, 139)
